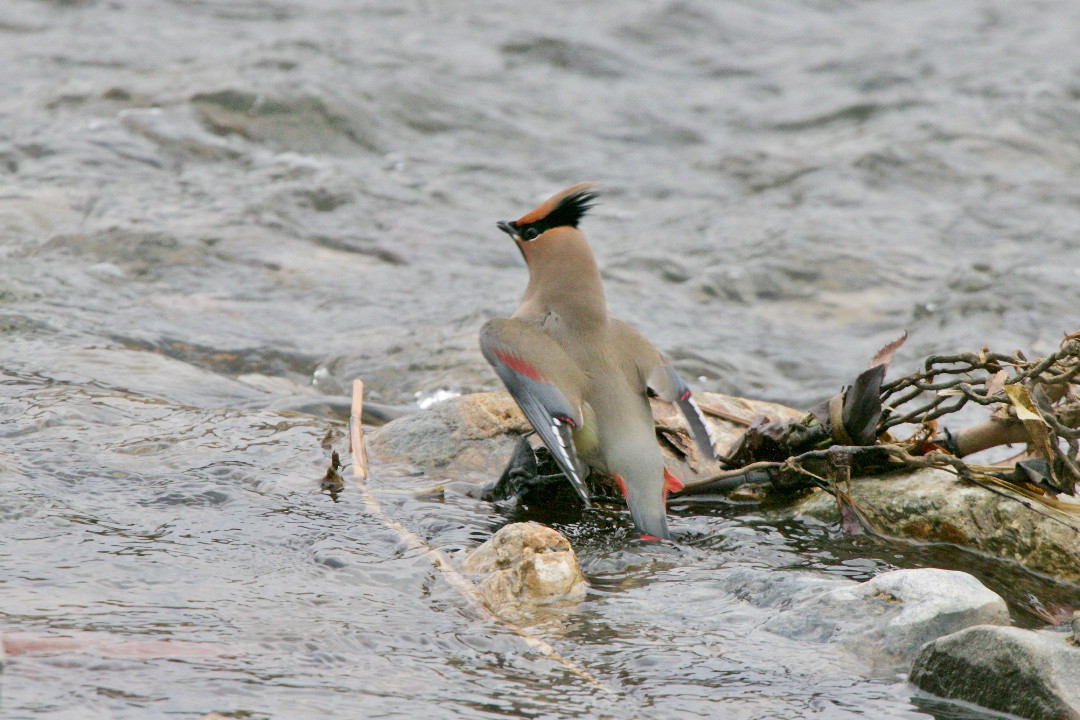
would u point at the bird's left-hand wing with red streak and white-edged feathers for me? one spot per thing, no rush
(545, 383)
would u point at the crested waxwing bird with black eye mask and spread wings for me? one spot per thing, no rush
(580, 376)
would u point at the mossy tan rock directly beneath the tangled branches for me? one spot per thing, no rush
(933, 506)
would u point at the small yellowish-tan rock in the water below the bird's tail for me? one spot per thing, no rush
(525, 564)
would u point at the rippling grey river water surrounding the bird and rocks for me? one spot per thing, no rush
(214, 213)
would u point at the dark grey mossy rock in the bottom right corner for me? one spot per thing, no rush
(1031, 674)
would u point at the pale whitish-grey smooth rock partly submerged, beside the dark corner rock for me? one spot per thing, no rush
(883, 621)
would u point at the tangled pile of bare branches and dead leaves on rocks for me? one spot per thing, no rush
(1034, 402)
